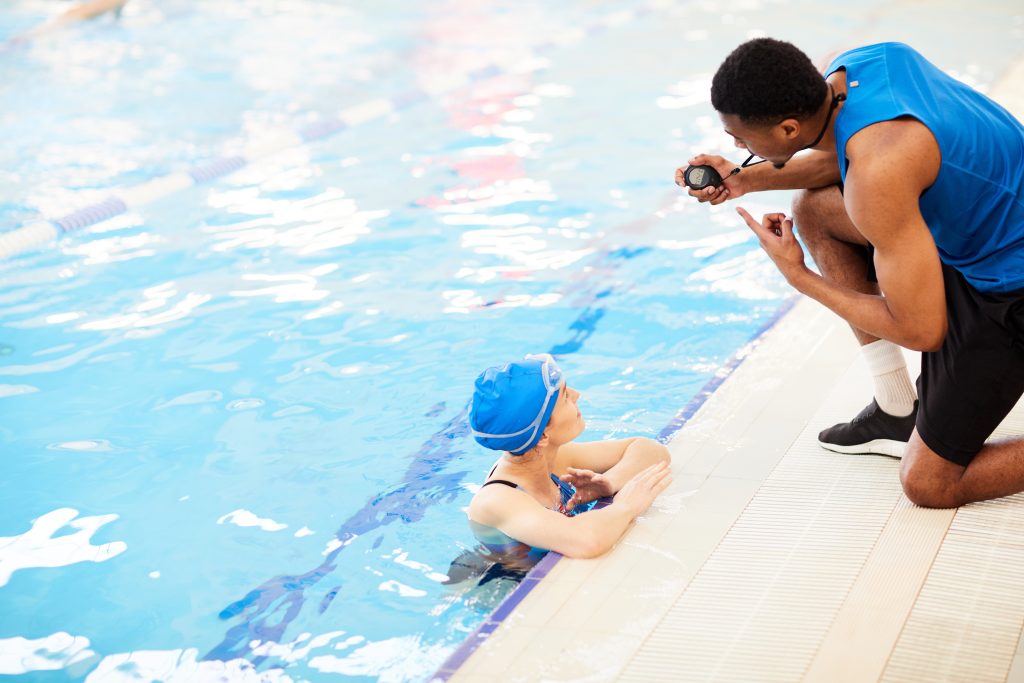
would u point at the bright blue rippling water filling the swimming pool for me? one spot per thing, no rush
(233, 421)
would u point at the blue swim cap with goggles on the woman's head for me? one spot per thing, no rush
(514, 403)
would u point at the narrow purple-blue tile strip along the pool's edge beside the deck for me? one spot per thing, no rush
(548, 563)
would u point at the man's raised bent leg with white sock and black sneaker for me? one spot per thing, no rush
(841, 253)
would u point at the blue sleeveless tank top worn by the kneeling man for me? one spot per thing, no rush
(975, 209)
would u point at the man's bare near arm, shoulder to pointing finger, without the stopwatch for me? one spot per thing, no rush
(892, 164)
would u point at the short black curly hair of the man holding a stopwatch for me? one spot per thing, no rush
(764, 81)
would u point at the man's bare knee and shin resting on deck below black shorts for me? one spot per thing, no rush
(932, 482)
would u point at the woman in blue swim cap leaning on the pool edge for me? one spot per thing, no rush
(530, 502)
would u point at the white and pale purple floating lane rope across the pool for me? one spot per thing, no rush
(49, 232)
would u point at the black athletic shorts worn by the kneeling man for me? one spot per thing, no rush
(972, 383)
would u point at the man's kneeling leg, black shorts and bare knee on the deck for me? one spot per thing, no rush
(968, 388)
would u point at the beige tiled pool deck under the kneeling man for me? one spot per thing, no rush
(773, 560)
